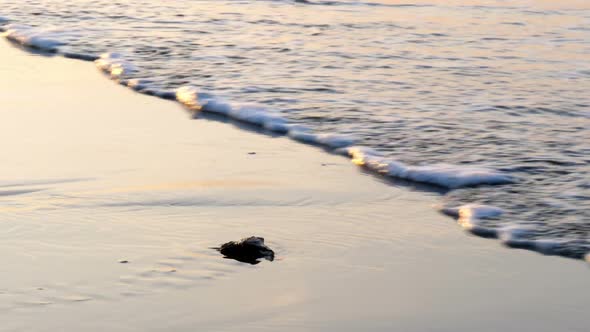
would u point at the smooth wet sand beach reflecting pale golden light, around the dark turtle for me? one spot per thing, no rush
(92, 173)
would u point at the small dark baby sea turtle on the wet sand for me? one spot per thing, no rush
(248, 250)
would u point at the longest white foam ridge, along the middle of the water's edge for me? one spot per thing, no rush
(449, 176)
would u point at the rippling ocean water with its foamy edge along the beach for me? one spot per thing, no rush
(485, 100)
